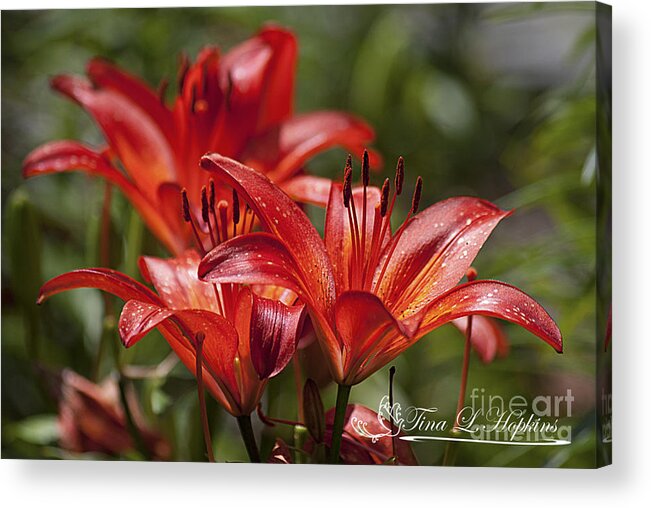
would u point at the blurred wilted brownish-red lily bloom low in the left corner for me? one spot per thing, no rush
(91, 419)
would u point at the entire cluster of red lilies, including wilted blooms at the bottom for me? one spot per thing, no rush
(218, 177)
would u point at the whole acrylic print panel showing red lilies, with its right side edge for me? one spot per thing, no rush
(319, 234)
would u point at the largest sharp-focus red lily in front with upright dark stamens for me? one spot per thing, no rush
(371, 293)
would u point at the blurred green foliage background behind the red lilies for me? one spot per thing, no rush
(496, 101)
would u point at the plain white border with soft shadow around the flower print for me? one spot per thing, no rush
(627, 483)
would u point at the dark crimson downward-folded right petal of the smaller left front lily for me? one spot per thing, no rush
(275, 329)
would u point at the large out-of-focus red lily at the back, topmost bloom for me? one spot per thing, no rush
(239, 105)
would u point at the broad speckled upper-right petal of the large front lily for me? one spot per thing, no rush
(435, 251)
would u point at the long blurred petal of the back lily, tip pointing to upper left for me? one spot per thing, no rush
(132, 133)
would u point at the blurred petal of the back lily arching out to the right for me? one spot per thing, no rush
(284, 149)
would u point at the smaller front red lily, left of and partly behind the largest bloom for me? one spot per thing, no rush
(245, 338)
